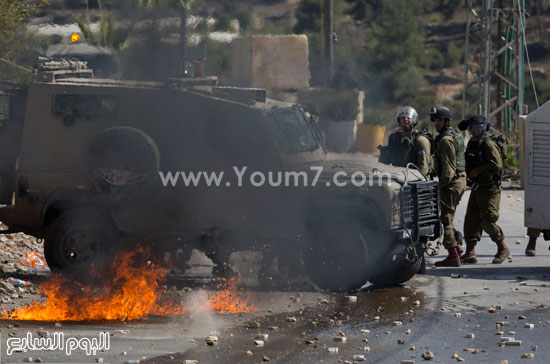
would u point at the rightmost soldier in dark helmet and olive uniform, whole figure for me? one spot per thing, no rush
(484, 168)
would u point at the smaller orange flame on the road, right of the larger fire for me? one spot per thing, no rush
(230, 300)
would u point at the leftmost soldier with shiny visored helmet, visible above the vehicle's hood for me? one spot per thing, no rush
(407, 145)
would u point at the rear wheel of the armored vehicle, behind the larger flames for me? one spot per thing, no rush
(78, 239)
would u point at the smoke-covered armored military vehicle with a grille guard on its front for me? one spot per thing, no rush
(90, 165)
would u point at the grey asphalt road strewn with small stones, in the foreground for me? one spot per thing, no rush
(444, 311)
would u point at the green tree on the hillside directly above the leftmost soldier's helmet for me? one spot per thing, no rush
(393, 56)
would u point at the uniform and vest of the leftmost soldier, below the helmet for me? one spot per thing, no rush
(403, 149)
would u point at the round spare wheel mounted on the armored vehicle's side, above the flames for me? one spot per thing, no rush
(123, 162)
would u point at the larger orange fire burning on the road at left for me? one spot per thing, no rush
(131, 294)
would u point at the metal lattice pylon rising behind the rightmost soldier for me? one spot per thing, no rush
(501, 61)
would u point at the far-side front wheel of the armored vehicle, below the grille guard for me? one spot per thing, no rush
(396, 268)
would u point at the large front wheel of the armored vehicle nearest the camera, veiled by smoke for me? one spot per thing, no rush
(336, 254)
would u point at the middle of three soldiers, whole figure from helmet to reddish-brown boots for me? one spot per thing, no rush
(450, 168)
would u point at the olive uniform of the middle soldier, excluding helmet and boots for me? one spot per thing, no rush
(449, 168)
